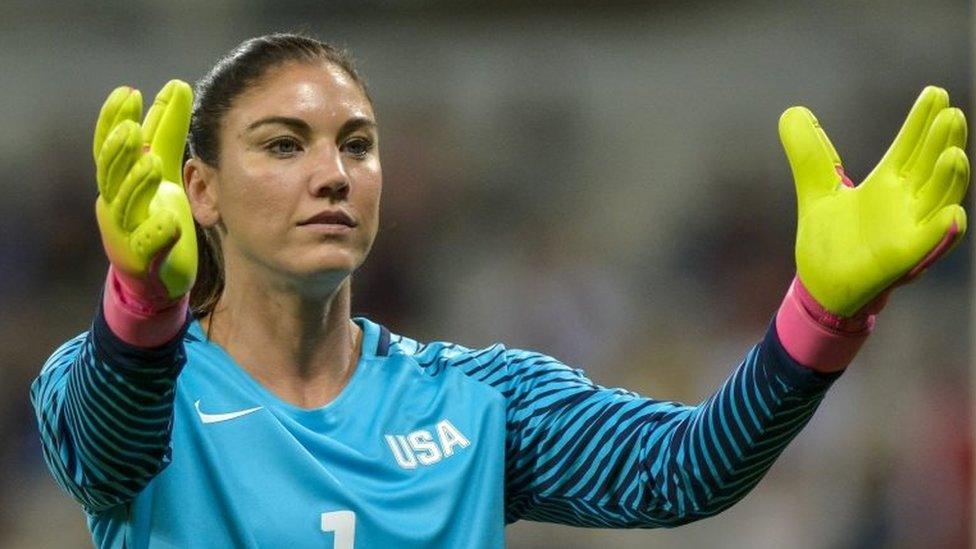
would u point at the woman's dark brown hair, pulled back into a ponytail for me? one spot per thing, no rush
(213, 97)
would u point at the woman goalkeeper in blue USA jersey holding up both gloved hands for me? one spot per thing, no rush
(253, 411)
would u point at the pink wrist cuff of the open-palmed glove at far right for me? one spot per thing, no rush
(815, 337)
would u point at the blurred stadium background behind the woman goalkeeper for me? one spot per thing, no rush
(599, 181)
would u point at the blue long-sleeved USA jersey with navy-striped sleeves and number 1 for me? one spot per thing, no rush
(428, 445)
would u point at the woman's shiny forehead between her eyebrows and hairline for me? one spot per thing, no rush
(314, 91)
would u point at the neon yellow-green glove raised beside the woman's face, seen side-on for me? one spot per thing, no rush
(143, 212)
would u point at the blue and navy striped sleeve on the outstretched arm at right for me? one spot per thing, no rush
(584, 455)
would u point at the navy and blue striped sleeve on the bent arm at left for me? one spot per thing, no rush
(104, 410)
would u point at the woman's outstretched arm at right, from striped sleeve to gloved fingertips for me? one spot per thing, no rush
(585, 455)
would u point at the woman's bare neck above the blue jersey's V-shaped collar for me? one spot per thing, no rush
(302, 348)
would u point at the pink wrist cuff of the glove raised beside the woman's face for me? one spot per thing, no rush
(138, 320)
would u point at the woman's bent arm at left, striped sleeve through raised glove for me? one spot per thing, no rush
(104, 400)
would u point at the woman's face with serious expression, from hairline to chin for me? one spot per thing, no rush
(299, 174)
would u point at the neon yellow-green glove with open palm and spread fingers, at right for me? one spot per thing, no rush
(854, 244)
